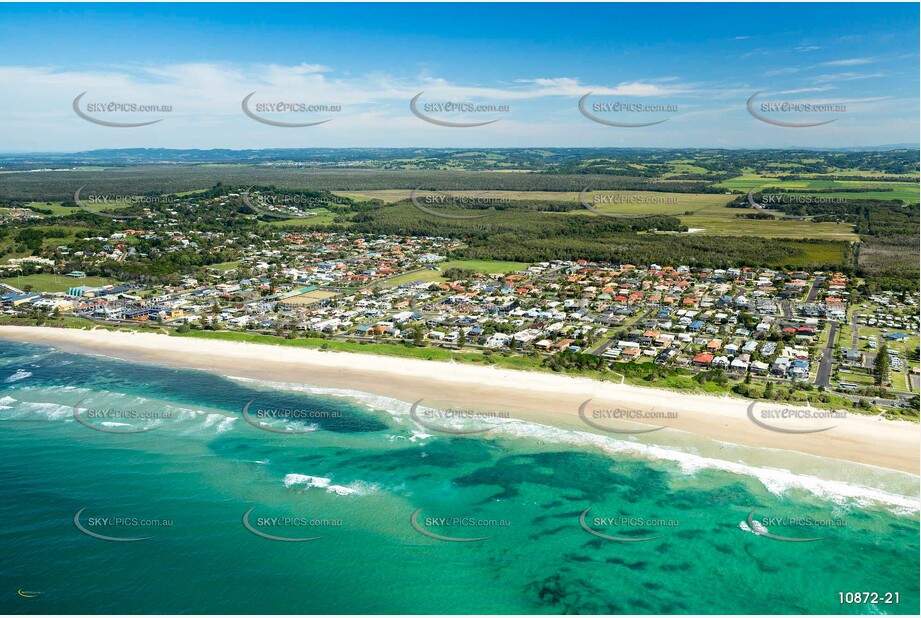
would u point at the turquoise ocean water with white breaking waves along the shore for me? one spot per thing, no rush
(359, 474)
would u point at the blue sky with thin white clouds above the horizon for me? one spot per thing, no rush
(689, 68)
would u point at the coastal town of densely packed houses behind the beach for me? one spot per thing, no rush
(798, 328)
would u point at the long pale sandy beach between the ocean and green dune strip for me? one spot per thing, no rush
(539, 397)
